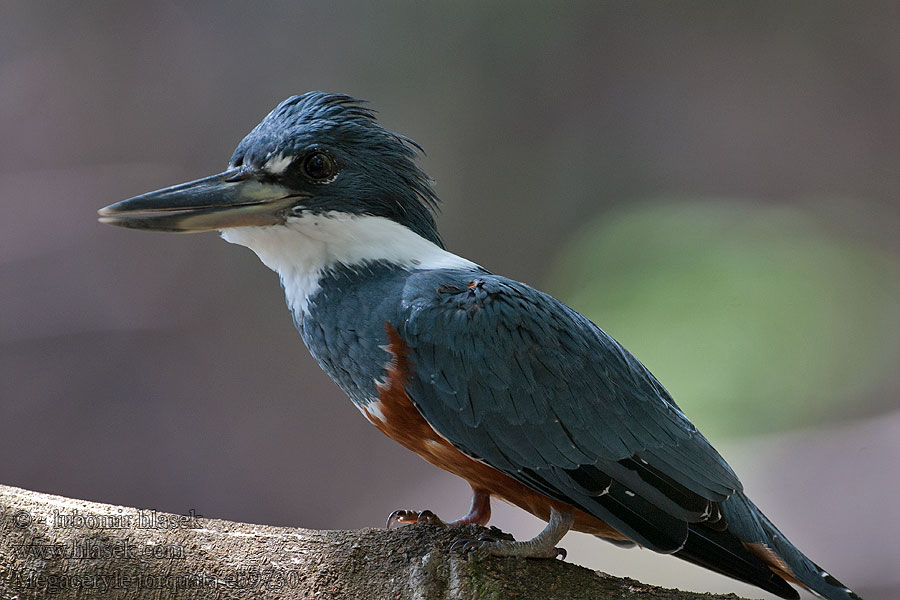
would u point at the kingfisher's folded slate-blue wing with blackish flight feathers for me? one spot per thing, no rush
(515, 378)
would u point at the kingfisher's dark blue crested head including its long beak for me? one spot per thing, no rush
(316, 155)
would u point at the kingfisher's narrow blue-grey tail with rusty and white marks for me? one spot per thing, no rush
(763, 539)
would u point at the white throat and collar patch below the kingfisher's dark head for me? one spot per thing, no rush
(306, 246)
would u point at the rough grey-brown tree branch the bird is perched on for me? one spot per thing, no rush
(61, 548)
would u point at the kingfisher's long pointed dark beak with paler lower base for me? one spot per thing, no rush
(235, 198)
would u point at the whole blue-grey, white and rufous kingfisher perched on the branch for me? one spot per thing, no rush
(480, 375)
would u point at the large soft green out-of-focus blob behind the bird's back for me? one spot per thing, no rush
(755, 318)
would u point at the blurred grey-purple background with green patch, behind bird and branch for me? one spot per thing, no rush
(714, 183)
